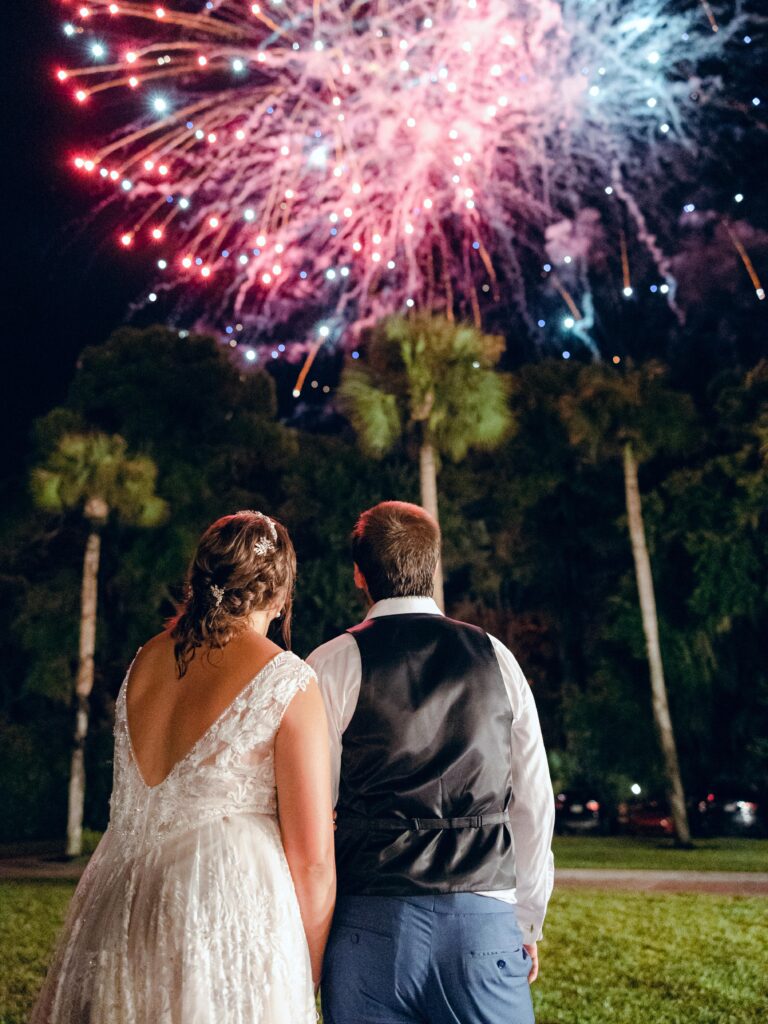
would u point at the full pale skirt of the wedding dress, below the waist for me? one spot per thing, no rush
(202, 928)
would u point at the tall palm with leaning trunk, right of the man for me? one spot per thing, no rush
(635, 416)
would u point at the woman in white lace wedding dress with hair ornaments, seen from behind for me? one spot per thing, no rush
(209, 899)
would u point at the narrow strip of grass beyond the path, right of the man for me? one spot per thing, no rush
(659, 855)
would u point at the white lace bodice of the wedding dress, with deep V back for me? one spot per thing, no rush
(230, 771)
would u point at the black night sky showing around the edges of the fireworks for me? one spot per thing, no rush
(68, 286)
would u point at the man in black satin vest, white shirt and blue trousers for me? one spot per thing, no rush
(444, 799)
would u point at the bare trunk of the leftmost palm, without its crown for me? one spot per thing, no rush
(83, 690)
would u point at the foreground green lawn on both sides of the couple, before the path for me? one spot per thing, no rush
(609, 958)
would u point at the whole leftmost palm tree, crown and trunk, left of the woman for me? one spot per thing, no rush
(94, 475)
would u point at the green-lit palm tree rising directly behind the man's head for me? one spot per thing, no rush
(432, 381)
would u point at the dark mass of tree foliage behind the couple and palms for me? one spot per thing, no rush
(535, 550)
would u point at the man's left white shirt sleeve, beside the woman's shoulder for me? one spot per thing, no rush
(337, 666)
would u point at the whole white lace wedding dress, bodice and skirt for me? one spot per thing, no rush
(187, 913)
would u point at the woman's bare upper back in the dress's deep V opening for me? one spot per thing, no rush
(168, 716)
